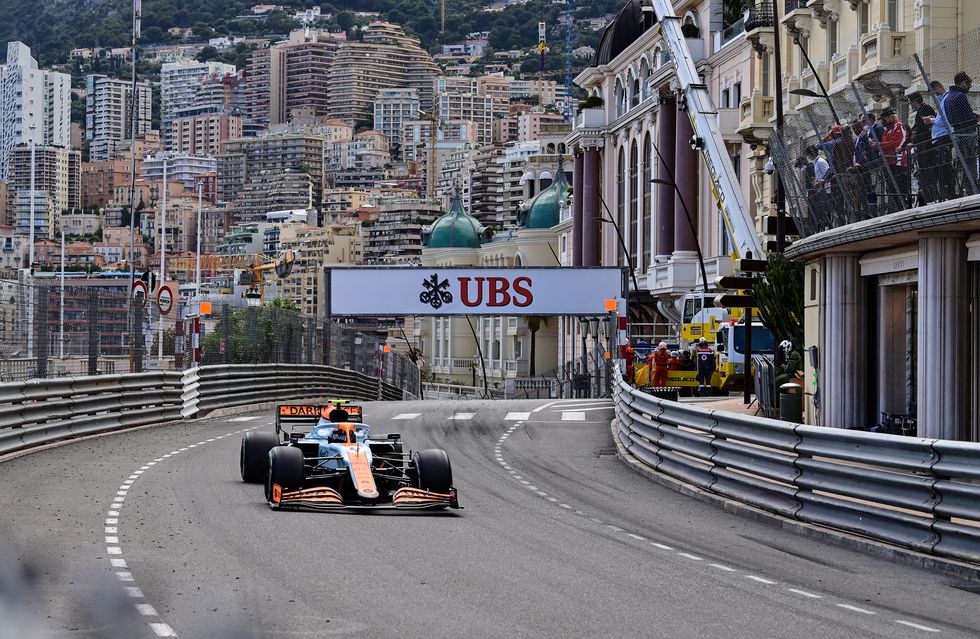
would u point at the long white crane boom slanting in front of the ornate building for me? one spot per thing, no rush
(704, 121)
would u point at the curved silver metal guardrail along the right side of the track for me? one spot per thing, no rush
(922, 494)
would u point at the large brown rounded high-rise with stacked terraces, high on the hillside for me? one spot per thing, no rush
(384, 58)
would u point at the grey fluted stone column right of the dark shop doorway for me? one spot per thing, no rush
(944, 337)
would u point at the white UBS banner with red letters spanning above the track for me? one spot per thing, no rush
(471, 291)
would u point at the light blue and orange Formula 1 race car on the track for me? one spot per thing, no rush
(321, 458)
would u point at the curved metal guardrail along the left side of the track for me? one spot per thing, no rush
(46, 410)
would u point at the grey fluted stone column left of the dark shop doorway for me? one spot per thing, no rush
(843, 366)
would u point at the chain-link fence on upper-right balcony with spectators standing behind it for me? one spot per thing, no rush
(840, 165)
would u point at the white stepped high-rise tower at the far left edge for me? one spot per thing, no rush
(35, 105)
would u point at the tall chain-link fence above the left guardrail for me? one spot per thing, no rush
(47, 330)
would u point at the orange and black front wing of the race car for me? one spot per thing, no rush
(325, 498)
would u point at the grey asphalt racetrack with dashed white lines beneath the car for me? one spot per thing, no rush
(557, 539)
